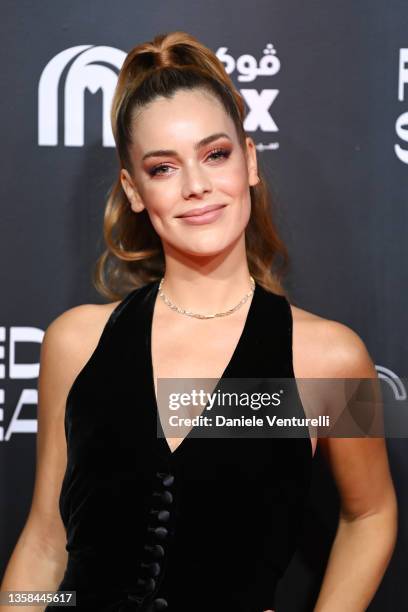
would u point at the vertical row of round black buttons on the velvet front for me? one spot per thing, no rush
(158, 531)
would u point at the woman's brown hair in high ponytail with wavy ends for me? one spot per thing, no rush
(134, 254)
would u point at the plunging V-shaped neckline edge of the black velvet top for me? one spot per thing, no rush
(228, 368)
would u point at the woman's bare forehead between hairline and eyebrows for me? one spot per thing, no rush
(186, 117)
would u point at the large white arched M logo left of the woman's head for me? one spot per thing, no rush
(84, 73)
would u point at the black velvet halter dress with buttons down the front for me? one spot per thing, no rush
(209, 527)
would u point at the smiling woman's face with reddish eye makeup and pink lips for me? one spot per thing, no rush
(181, 162)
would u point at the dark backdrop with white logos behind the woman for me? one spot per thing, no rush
(326, 87)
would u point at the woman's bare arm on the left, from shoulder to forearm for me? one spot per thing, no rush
(39, 558)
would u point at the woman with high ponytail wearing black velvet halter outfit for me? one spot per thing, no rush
(187, 523)
